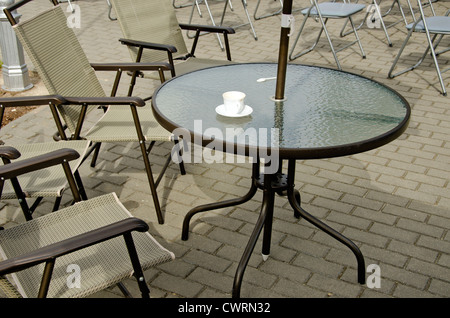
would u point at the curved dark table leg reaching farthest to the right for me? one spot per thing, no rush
(330, 231)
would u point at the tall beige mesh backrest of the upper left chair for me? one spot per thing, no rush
(66, 72)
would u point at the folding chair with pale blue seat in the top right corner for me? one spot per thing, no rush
(431, 25)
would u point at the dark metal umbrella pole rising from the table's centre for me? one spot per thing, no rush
(283, 53)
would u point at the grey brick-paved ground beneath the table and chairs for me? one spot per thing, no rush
(394, 202)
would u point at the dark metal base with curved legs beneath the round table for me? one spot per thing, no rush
(271, 184)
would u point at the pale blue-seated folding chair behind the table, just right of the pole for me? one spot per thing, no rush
(322, 12)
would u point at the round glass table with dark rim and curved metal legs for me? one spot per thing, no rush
(325, 113)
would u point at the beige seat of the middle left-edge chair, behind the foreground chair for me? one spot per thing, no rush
(49, 182)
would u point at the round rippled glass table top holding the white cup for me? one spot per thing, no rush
(325, 112)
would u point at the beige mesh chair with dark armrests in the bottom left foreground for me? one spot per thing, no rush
(78, 250)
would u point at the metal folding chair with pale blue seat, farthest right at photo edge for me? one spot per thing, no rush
(433, 28)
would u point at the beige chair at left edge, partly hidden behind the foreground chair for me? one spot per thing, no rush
(44, 183)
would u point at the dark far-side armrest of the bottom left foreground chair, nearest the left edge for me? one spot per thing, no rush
(53, 158)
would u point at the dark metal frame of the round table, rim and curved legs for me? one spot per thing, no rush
(283, 185)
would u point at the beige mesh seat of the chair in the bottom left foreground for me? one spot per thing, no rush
(101, 265)
